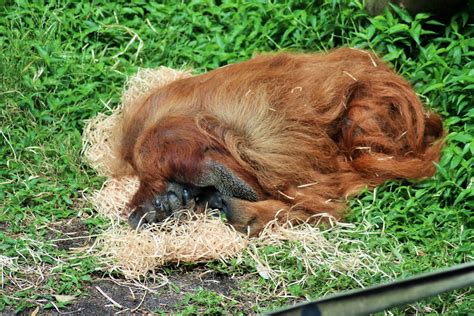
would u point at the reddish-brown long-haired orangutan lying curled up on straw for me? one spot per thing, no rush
(287, 135)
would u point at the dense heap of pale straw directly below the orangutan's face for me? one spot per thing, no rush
(188, 237)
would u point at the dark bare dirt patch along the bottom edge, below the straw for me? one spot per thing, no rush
(108, 297)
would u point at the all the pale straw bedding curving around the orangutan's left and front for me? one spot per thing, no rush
(189, 237)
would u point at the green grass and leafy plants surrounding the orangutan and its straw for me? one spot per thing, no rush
(60, 64)
